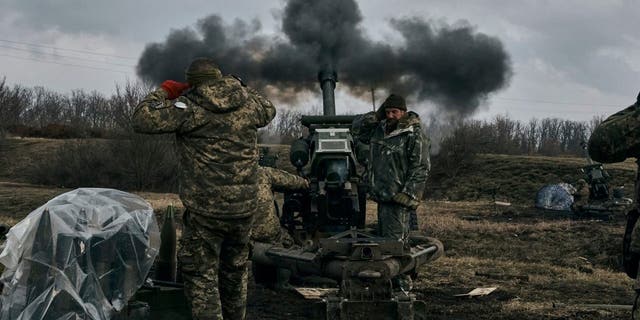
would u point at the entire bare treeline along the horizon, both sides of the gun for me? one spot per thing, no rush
(41, 112)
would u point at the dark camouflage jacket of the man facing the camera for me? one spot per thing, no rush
(398, 161)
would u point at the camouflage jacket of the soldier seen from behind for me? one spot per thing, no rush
(216, 127)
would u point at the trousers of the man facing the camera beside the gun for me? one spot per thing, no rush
(393, 221)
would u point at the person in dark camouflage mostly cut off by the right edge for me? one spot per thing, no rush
(614, 140)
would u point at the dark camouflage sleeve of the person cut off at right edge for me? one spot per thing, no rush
(617, 137)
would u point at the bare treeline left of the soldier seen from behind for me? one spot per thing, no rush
(41, 112)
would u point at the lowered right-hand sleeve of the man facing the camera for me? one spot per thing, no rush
(418, 149)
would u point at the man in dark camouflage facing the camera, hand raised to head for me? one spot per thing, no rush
(398, 163)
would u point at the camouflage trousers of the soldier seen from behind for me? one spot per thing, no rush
(213, 257)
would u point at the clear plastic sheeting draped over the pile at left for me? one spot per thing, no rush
(82, 255)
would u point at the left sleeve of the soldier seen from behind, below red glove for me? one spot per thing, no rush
(157, 114)
